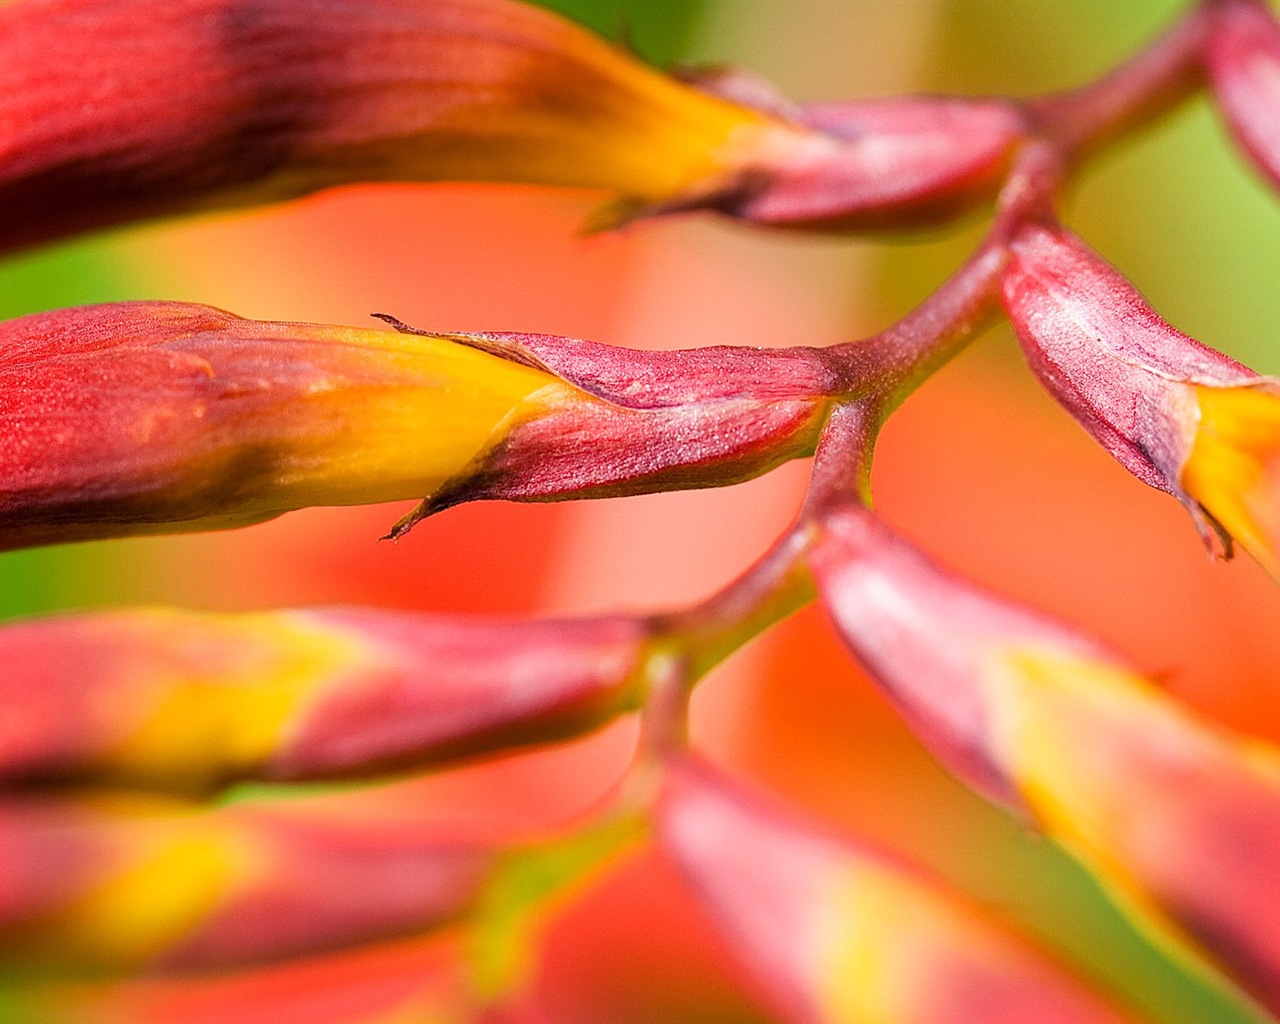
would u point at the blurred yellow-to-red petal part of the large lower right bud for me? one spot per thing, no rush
(1183, 819)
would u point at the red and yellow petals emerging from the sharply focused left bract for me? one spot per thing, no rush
(172, 417)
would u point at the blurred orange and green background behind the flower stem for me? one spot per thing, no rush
(980, 468)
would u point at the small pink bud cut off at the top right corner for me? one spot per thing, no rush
(1244, 61)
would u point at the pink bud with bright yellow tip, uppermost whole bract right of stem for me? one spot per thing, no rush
(1177, 414)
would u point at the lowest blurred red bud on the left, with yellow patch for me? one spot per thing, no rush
(116, 883)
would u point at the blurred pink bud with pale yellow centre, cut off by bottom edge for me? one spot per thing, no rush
(834, 932)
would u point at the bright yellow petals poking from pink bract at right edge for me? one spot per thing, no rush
(1235, 467)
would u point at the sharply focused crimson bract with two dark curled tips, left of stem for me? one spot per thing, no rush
(665, 420)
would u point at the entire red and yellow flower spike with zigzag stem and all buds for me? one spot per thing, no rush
(121, 854)
